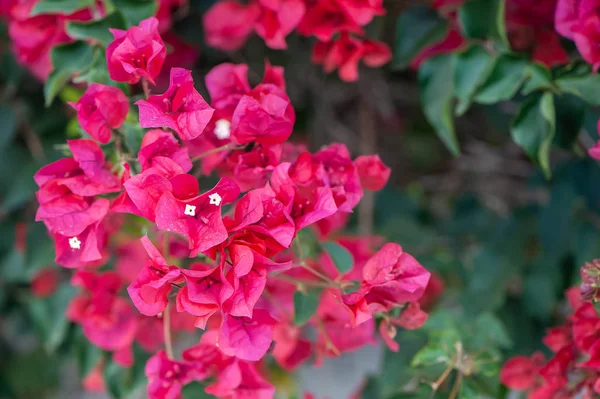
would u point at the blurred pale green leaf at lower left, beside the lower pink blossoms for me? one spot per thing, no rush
(48, 315)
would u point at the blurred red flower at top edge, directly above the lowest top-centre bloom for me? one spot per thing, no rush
(325, 18)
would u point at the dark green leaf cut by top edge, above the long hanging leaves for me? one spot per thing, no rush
(484, 20)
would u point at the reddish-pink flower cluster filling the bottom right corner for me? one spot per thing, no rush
(574, 368)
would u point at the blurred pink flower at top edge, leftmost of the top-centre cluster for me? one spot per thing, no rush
(228, 23)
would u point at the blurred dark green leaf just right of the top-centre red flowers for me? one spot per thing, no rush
(417, 27)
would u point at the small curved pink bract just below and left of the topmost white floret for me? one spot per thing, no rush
(160, 144)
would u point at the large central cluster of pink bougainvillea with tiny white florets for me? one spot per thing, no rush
(227, 262)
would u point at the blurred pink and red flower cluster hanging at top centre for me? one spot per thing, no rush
(338, 26)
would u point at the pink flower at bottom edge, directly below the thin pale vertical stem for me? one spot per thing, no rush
(166, 377)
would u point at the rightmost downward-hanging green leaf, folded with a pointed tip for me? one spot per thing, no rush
(533, 129)
